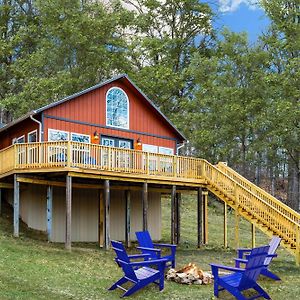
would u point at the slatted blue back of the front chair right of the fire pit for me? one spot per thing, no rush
(255, 263)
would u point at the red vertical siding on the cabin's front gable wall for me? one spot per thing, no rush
(91, 108)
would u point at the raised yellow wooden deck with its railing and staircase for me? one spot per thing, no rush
(91, 161)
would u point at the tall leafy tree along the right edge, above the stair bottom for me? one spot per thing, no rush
(283, 43)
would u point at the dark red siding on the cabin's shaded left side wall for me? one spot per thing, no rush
(22, 128)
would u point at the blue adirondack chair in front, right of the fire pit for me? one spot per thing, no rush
(242, 279)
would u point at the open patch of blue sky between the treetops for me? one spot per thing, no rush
(242, 15)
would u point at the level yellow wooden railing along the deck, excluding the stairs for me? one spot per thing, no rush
(97, 157)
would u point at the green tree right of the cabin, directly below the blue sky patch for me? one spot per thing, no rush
(227, 114)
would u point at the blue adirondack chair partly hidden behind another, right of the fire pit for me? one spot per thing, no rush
(274, 244)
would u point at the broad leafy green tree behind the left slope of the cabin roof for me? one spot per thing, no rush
(75, 45)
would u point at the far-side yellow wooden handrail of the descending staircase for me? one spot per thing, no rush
(259, 192)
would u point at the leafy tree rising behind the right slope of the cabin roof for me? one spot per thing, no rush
(163, 38)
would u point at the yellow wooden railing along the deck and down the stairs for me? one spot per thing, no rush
(245, 195)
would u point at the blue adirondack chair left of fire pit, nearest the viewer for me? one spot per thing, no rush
(138, 273)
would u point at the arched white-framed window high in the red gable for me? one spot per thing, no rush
(117, 108)
